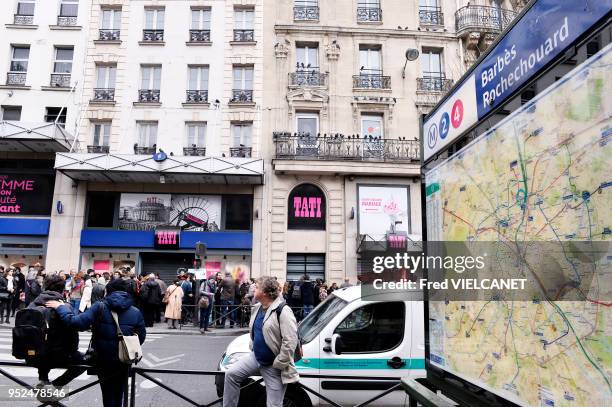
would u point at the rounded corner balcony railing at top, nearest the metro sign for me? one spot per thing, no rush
(482, 19)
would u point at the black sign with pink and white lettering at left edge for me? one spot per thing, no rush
(26, 194)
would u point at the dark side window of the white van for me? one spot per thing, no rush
(362, 330)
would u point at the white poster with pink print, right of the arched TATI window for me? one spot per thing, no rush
(382, 210)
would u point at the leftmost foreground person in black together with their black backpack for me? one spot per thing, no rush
(43, 340)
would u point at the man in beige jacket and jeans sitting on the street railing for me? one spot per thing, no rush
(273, 333)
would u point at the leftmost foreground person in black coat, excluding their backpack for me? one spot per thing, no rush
(62, 341)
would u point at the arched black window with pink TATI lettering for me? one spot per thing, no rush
(306, 208)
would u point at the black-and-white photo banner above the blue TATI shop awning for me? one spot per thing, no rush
(195, 213)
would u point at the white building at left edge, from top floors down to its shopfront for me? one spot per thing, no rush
(41, 64)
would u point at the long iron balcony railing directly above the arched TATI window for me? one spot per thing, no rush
(341, 147)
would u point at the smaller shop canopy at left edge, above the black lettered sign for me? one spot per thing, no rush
(34, 137)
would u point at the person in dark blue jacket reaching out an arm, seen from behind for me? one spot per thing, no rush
(111, 371)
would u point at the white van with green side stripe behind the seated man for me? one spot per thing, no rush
(350, 335)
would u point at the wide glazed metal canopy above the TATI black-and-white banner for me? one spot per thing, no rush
(173, 169)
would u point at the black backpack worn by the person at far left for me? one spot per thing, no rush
(30, 334)
